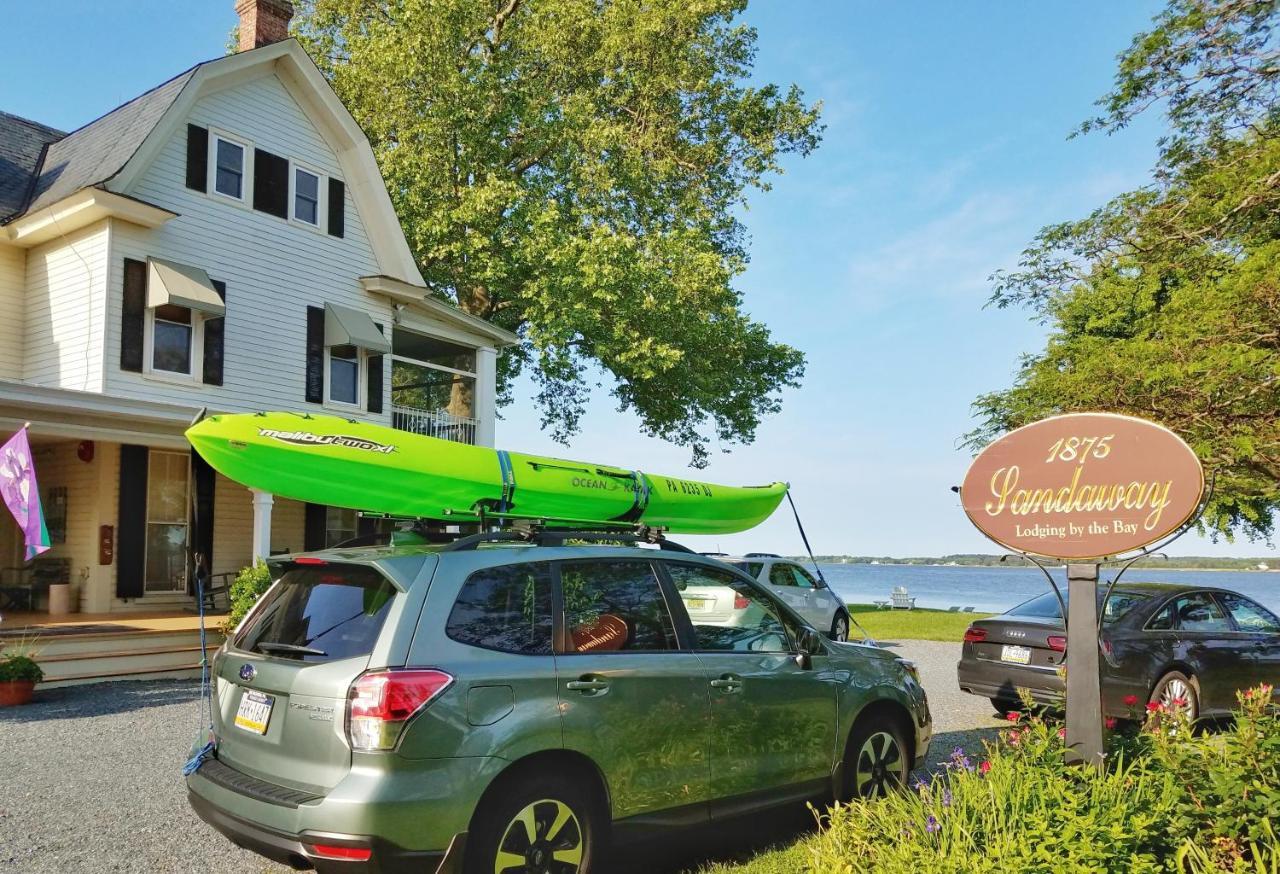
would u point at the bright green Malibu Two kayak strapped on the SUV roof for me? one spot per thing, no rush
(326, 460)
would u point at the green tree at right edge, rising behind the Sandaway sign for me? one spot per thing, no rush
(1165, 303)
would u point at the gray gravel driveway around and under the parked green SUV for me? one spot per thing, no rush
(90, 781)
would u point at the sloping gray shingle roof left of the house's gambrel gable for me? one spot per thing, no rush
(89, 157)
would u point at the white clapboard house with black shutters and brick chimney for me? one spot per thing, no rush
(223, 241)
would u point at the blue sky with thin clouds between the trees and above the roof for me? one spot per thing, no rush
(945, 152)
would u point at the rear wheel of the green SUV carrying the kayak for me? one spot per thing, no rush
(566, 823)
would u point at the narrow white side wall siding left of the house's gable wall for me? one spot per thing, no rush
(65, 304)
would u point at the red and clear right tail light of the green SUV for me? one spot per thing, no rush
(382, 702)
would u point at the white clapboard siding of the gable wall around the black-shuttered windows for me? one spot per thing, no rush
(273, 269)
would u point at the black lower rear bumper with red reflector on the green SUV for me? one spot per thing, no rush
(292, 849)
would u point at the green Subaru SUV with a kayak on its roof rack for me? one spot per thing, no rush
(504, 710)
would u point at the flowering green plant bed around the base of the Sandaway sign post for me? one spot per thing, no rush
(1168, 800)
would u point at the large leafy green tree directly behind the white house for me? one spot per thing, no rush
(575, 171)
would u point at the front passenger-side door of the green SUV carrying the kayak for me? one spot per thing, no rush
(774, 722)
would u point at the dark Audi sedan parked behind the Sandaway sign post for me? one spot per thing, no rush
(1185, 647)
